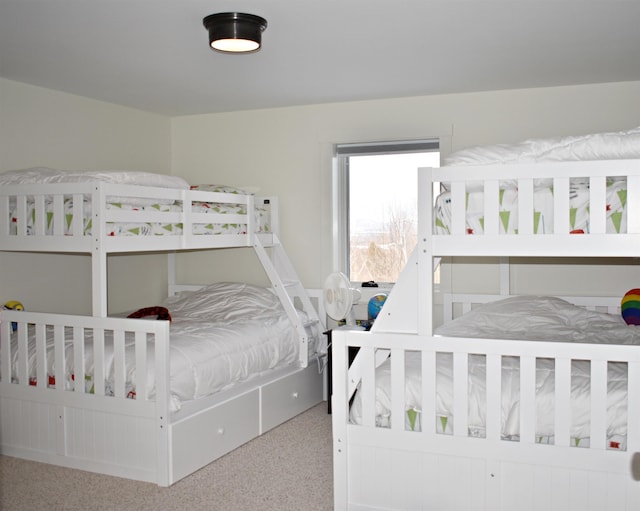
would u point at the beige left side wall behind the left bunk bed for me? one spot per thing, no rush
(41, 127)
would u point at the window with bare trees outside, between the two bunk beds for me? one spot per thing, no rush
(376, 214)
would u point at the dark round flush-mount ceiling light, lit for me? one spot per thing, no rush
(235, 32)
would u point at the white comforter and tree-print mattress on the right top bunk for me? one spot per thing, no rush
(519, 161)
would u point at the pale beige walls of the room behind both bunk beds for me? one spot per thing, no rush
(284, 151)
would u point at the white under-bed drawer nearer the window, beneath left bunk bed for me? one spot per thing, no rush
(291, 395)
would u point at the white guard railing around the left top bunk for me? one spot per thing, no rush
(84, 217)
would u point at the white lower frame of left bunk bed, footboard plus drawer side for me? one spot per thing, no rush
(135, 438)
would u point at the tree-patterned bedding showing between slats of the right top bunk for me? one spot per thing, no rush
(543, 209)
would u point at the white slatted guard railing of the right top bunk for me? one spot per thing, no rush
(550, 209)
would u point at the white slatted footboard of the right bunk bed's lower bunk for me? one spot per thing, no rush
(427, 461)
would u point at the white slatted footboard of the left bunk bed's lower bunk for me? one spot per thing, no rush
(58, 408)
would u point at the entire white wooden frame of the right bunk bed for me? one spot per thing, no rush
(390, 468)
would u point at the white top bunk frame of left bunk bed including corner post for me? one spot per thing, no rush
(98, 244)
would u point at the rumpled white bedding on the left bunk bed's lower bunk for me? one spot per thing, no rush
(220, 335)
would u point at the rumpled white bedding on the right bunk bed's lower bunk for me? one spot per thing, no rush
(527, 318)
